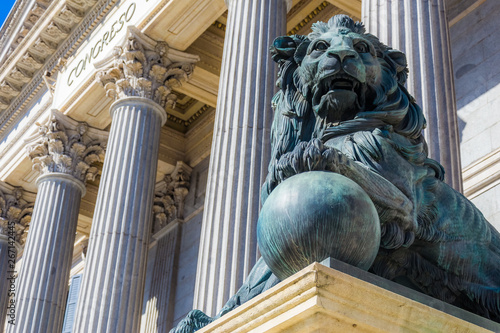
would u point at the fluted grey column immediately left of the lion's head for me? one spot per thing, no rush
(240, 150)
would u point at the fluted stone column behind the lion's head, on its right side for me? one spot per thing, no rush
(420, 29)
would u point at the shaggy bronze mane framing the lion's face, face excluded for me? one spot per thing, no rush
(294, 118)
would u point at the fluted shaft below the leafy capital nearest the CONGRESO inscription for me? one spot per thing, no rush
(111, 293)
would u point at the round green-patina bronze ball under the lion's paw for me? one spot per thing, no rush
(315, 215)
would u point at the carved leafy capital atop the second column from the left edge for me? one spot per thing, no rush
(67, 146)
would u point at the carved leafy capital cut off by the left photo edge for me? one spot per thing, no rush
(15, 213)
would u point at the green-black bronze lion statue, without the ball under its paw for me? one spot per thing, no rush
(342, 107)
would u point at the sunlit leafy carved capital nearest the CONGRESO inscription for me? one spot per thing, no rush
(142, 67)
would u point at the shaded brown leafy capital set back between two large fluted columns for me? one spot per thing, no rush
(169, 196)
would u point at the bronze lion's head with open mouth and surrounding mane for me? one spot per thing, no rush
(338, 80)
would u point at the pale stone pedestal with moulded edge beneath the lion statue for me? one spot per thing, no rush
(345, 299)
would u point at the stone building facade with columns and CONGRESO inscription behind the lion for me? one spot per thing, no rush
(134, 138)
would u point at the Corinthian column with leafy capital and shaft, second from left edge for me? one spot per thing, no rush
(63, 153)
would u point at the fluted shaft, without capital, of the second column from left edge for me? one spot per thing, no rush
(43, 278)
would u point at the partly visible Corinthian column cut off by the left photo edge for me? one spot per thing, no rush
(15, 215)
